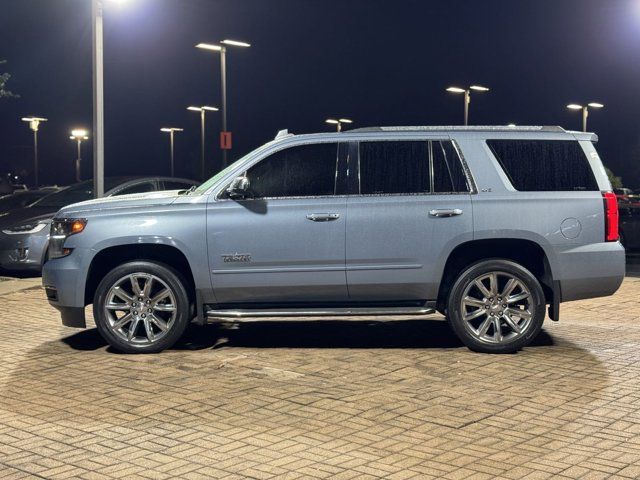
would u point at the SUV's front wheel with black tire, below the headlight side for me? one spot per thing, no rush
(165, 278)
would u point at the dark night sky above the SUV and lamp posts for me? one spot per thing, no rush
(380, 62)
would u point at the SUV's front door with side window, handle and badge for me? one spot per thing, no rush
(285, 244)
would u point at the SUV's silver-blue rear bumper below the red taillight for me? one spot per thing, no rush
(590, 271)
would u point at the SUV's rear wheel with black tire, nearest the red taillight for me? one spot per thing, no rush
(496, 308)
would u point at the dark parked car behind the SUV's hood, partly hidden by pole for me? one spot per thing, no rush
(24, 232)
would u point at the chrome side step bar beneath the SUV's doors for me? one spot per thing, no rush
(316, 312)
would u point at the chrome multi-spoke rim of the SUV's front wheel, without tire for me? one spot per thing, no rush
(140, 308)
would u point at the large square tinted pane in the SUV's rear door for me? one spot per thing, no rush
(394, 167)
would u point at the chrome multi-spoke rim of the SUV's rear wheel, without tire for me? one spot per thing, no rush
(496, 307)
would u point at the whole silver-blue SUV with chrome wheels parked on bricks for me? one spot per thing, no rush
(487, 225)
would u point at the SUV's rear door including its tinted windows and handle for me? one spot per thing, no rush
(411, 206)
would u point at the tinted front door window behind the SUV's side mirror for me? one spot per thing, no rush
(302, 171)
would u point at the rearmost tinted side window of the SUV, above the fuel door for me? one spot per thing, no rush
(544, 165)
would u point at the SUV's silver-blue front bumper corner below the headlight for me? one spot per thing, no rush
(64, 282)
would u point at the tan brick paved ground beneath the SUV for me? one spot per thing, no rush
(333, 400)
